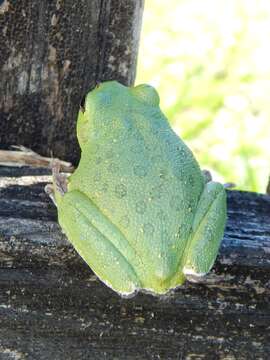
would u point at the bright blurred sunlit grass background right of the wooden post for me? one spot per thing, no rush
(210, 62)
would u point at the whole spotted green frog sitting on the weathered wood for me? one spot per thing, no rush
(138, 209)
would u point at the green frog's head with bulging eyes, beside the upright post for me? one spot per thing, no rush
(108, 101)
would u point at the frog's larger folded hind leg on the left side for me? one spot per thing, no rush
(91, 233)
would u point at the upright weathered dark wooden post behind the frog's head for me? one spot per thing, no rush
(51, 54)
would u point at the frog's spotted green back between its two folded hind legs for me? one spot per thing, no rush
(138, 172)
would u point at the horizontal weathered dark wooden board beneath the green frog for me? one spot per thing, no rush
(53, 307)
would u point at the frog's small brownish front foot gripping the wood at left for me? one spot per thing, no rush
(59, 182)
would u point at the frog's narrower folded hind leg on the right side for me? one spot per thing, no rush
(207, 230)
